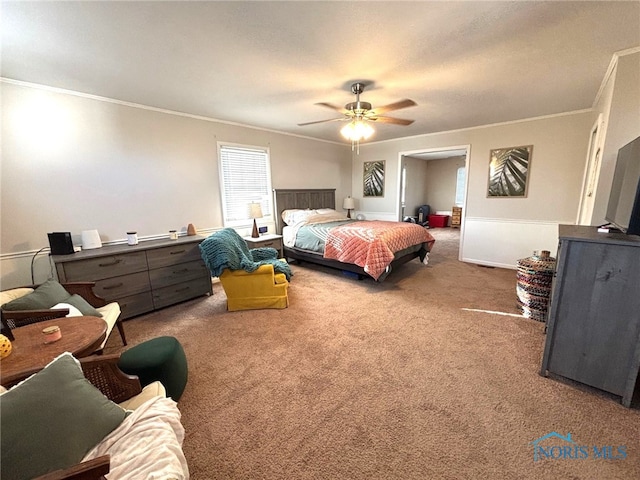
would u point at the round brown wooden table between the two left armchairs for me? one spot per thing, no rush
(29, 354)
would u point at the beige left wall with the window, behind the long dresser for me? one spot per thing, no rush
(72, 163)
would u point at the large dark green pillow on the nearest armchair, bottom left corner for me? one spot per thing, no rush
(52, 420)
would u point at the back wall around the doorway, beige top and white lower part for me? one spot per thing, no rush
(499, 231)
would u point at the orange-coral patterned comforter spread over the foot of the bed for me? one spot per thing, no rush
(372, 244)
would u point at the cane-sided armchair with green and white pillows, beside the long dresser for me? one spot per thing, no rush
(21, 306)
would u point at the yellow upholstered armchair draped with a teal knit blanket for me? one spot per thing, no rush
(251, 279)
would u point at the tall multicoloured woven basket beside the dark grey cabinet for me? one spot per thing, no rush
(534, 281)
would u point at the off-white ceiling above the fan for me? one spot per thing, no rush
(266, 64)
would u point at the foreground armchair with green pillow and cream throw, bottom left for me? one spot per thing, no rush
(87, 419)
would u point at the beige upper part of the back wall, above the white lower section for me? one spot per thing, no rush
(559, 152)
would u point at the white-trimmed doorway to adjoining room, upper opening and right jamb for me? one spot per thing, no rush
(436, 177)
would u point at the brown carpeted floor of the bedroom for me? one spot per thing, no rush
(359, 380)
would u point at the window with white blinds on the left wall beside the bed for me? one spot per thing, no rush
(245, 177)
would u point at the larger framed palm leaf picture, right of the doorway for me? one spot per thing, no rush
(509, 171)
